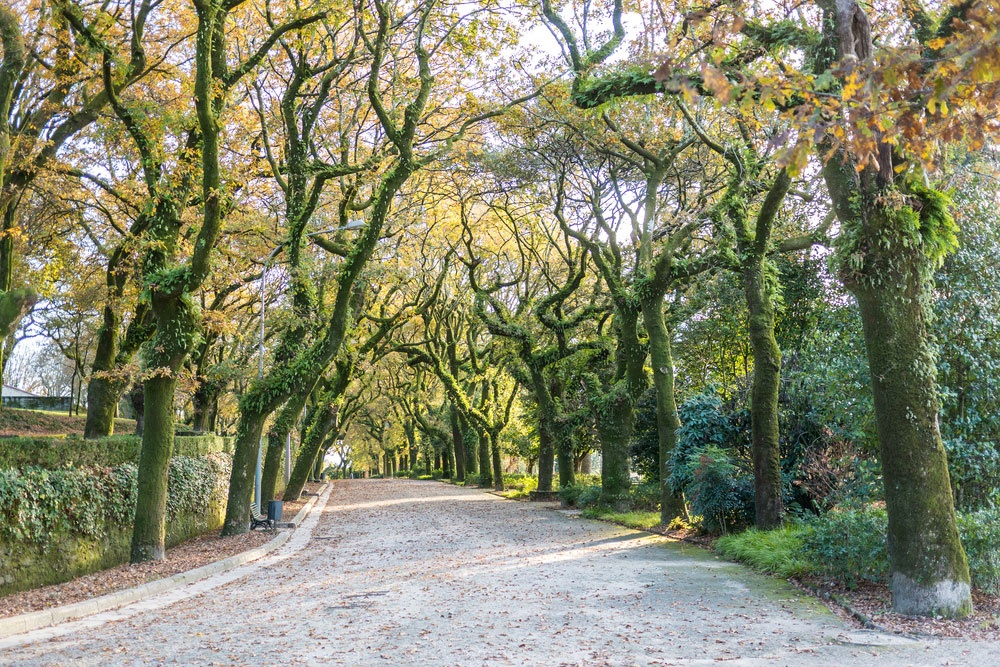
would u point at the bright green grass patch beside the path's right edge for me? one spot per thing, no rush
(776, 551)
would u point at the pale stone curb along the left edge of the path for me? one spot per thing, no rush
(34, 620)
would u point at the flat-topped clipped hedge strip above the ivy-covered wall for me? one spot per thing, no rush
(56, 452)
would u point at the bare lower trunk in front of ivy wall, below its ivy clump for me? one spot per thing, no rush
(149, 531)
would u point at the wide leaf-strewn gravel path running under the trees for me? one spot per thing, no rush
(421, 573)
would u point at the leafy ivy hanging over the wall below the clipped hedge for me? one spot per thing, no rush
(37, 503)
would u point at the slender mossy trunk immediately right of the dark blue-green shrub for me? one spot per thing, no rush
(764, 398)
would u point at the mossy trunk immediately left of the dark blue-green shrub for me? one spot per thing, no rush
(667, 421)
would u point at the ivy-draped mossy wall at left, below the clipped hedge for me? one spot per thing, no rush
(59, 524)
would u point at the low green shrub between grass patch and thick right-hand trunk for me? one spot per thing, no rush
(849, 545)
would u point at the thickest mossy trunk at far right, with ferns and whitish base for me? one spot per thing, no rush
(894, 230)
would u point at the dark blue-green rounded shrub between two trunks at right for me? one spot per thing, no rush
(718, 490)
